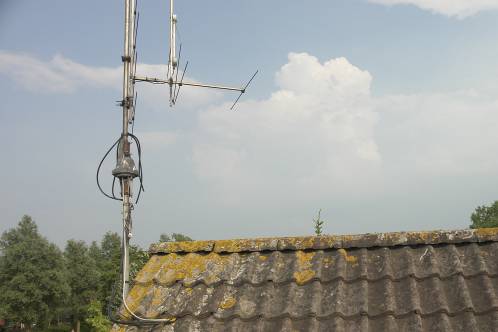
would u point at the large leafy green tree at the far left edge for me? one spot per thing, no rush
(32, 276)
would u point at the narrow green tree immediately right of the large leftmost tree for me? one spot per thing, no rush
(83, 278)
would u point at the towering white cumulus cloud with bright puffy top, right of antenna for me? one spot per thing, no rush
(315, 131)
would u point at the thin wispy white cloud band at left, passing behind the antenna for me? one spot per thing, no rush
(63, 75)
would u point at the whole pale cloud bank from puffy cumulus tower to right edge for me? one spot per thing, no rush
(322, 135)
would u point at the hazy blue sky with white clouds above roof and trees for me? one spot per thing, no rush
(381, 113)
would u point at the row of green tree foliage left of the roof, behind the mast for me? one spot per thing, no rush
(39, 284)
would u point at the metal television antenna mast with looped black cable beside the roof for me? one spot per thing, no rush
(126, 170)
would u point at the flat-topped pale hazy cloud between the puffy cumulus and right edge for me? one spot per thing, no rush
(450, 134)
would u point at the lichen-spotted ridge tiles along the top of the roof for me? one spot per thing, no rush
(328, 241)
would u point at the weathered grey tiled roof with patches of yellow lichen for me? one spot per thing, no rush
(425, 281)
